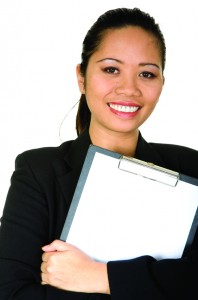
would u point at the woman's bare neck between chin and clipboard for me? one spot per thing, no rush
(123, 143)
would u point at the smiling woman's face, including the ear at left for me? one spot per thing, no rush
(123, 81)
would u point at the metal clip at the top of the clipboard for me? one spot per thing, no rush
(148, 170)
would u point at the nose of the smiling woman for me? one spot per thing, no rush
(128, 86)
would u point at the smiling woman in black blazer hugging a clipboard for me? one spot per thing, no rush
(120, 79)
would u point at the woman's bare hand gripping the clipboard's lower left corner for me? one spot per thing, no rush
(67, 267)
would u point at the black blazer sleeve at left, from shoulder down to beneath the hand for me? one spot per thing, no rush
(24, 230)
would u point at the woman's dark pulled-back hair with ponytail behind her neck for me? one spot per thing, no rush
(113, 19)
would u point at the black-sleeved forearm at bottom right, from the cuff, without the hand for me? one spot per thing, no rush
(146, 278)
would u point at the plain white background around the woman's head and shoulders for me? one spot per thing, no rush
(40, 45)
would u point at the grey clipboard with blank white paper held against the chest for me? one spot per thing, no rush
(123, 208)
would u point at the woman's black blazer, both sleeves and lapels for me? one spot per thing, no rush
(38, 200)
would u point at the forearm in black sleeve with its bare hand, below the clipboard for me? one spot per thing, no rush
(139, 278)
